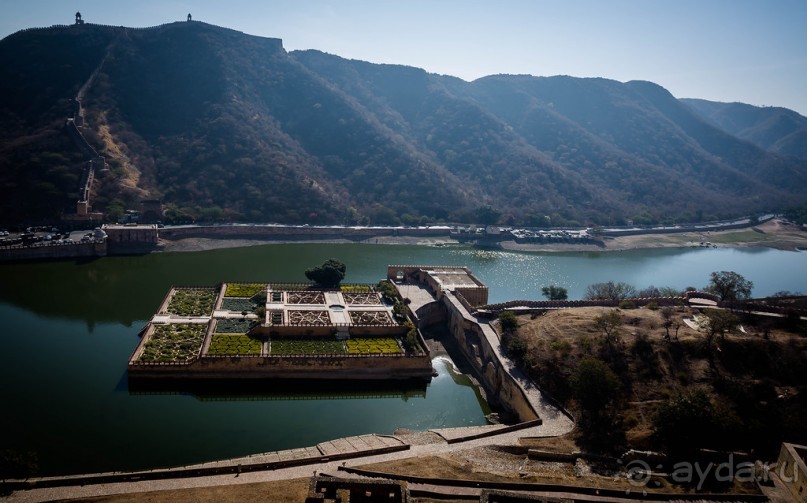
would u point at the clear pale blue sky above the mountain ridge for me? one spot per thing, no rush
(722, 50)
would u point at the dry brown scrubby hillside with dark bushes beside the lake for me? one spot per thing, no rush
(755, 378)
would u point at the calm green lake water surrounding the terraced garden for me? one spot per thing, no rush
(69, 328)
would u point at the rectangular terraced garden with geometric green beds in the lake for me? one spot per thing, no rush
(282, 330)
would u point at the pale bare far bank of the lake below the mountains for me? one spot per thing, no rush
(772, 234)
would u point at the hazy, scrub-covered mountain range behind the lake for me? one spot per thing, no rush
(220, 125)
